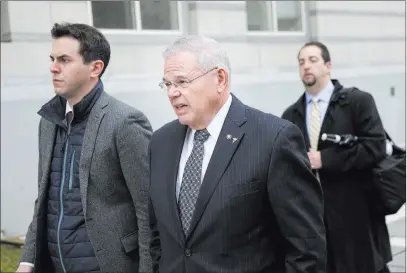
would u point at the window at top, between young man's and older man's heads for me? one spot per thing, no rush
(149, 15)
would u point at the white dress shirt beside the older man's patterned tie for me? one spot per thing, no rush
(214, 129)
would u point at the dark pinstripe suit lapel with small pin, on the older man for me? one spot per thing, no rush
(226, 145)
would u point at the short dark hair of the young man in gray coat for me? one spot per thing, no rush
(93, 44)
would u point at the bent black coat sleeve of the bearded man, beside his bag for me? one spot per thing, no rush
(371, 147)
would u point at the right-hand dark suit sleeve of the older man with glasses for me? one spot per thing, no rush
(297, 201)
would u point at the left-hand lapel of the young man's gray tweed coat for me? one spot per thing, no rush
(48, 133)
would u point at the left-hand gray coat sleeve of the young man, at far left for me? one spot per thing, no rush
(28, 252)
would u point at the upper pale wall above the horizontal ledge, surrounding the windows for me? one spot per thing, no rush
(379, 25)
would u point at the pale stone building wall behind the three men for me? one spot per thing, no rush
(366, 40)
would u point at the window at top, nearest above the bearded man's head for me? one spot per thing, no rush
(275, 16)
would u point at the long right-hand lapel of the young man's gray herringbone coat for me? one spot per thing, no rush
(95, 118)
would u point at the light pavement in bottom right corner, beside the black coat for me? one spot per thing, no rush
(396, 224)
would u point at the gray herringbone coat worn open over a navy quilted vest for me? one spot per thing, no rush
(114, 177)
